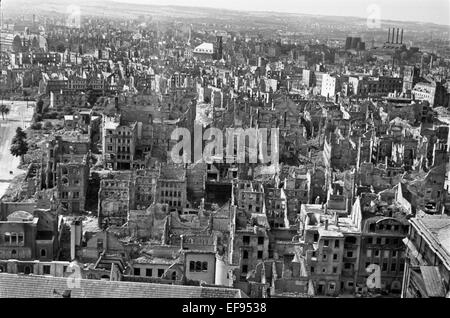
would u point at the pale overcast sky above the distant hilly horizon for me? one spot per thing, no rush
(437, 11)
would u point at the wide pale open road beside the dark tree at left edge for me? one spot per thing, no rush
(19, 116)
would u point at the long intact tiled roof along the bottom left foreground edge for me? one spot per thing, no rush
(29, 286)
